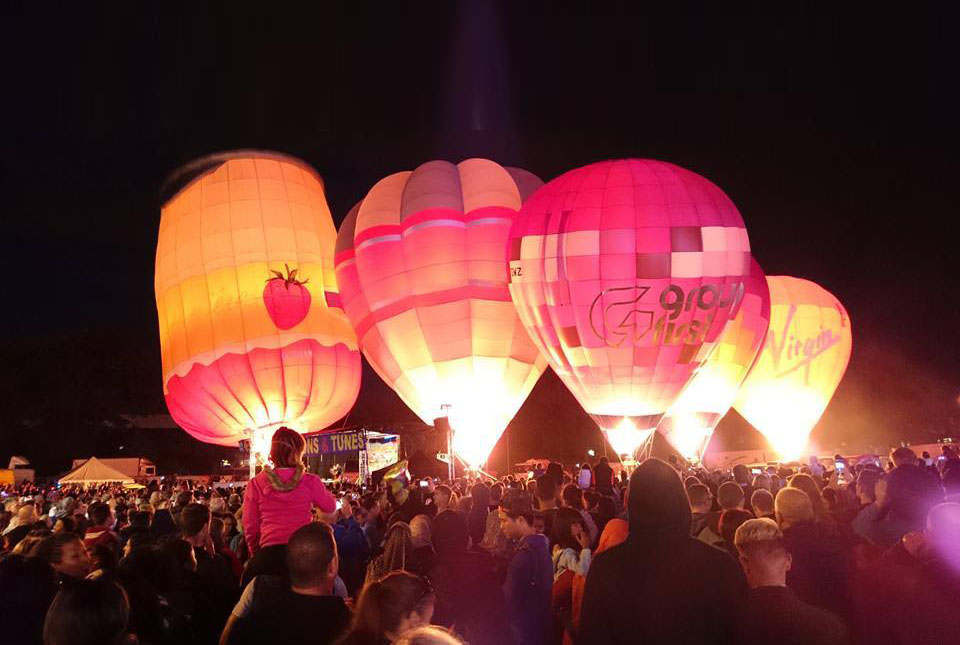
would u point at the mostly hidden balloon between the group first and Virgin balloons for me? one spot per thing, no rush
(711, 392)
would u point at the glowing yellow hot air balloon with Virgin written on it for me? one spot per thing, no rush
(806, 353)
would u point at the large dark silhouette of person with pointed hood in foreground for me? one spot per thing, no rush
(661, 585)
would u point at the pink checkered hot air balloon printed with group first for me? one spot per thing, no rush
(624, 273)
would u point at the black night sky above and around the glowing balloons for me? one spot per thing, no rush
(832, 128)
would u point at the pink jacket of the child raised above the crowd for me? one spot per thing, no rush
(270, 516)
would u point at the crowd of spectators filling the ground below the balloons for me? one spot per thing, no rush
(671, 554)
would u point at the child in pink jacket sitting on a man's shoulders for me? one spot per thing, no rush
(277, 502)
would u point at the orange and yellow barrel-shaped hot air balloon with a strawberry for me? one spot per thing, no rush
(252, 332)
